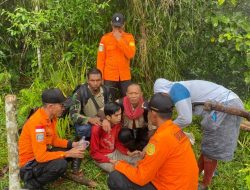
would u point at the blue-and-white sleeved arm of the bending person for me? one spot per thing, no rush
(181, 97)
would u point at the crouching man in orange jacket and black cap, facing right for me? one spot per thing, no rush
(39, 163)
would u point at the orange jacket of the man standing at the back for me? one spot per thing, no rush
(113, 58)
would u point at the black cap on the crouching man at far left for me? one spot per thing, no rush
(53, 96)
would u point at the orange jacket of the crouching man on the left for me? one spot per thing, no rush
(38, 132)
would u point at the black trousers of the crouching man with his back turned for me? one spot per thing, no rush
(118, 181)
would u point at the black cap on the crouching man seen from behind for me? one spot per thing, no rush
(161, 103)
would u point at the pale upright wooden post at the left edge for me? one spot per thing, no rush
(11, 125)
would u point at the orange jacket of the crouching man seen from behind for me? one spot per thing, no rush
(169, 162)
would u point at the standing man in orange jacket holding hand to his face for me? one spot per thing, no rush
(114, 53)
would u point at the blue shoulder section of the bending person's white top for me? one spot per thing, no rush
(179, 92)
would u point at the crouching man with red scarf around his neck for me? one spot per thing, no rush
(134, 134)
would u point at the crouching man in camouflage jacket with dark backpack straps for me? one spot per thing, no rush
(87, 108)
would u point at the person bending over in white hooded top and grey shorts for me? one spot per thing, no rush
(220, 130)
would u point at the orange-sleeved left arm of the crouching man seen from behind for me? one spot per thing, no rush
(147, 168)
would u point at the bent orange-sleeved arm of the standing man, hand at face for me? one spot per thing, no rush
(127, 45)
